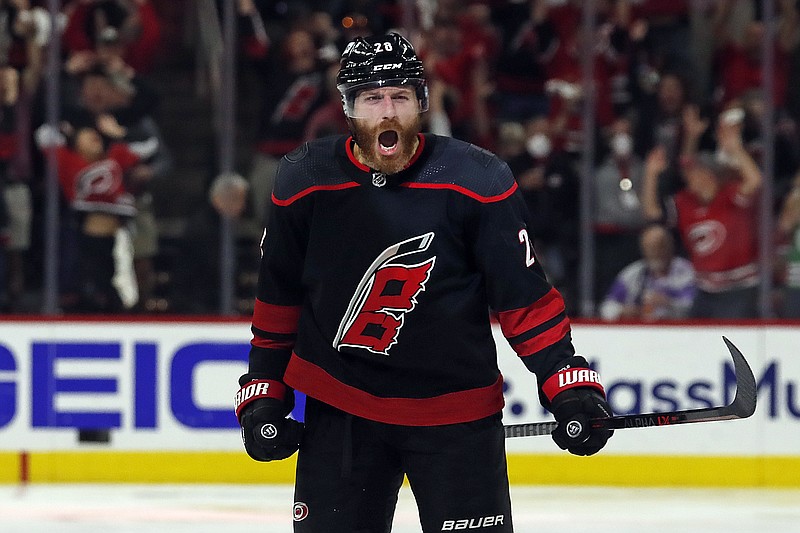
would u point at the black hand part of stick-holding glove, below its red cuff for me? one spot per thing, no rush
(573, 410)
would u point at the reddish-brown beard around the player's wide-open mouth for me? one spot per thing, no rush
(368, 138)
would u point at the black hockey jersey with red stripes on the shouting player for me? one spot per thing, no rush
(376, 292)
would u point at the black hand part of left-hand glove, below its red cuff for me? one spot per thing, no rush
(267, 434)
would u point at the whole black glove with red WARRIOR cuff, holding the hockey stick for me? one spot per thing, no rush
(576, 396)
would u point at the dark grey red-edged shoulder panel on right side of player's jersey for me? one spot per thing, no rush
(468, 168)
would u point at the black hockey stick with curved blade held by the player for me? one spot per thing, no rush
(742, 406)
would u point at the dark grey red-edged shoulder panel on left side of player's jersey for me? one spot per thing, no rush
(311, 166)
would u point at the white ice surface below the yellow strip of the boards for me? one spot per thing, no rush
(74, 508)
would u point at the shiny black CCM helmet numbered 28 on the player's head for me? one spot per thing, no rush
(380, 61)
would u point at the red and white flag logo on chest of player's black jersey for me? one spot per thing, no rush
(386, 292)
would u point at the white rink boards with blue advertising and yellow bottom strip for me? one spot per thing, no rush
(164, 389)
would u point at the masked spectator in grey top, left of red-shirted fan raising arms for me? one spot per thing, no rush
(617, 211)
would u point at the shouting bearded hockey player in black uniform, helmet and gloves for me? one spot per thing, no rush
(385, 253)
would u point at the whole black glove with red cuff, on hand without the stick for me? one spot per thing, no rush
(262, 407)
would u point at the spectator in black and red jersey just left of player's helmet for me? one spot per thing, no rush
(293, 86)
